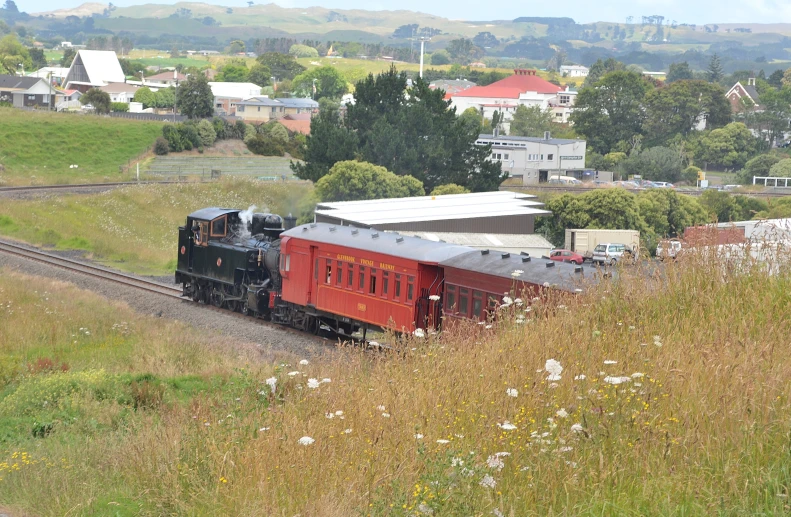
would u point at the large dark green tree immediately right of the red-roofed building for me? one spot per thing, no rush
(611, 110)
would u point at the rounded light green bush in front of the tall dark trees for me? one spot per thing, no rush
(352, 180)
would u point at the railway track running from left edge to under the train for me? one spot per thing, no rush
(124, 279)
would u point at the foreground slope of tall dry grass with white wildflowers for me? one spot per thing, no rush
(683, 410)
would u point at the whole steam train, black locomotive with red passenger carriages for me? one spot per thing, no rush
(347, 279)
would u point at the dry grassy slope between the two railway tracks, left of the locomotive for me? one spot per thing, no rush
(135, 228)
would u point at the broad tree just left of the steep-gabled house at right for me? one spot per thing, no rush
(677, 108)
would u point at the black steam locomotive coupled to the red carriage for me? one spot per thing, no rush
(229, 258)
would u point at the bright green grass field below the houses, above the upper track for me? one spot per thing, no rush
(37, 147)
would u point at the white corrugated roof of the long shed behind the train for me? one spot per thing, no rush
(433, 208)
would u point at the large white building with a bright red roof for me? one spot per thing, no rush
(524, 88)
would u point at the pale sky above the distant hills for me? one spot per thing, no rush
(683, 11)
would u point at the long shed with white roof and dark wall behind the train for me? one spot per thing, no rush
(484, 212)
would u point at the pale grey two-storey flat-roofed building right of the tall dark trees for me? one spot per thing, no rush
(537, 159)
